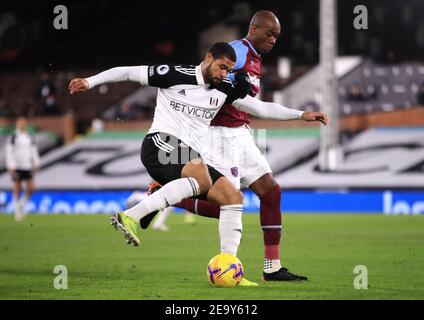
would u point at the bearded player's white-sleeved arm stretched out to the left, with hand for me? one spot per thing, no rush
(117, 74)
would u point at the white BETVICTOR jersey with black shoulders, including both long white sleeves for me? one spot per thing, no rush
(185, 104)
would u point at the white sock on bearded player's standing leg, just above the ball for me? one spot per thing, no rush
(230, 228)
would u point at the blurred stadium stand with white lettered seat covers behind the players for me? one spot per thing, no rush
(380, 72)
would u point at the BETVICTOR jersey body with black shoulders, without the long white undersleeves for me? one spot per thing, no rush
(185, 106)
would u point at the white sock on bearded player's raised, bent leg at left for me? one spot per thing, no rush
(170, 194)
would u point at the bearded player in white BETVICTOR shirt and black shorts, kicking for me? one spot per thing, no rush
(188, 99)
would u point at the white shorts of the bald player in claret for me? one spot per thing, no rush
(233, 152)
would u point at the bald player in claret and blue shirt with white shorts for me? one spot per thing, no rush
(237, 156)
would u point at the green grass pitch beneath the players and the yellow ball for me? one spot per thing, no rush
(172, 265)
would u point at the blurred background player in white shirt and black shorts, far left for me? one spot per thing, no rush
(22, 160)
